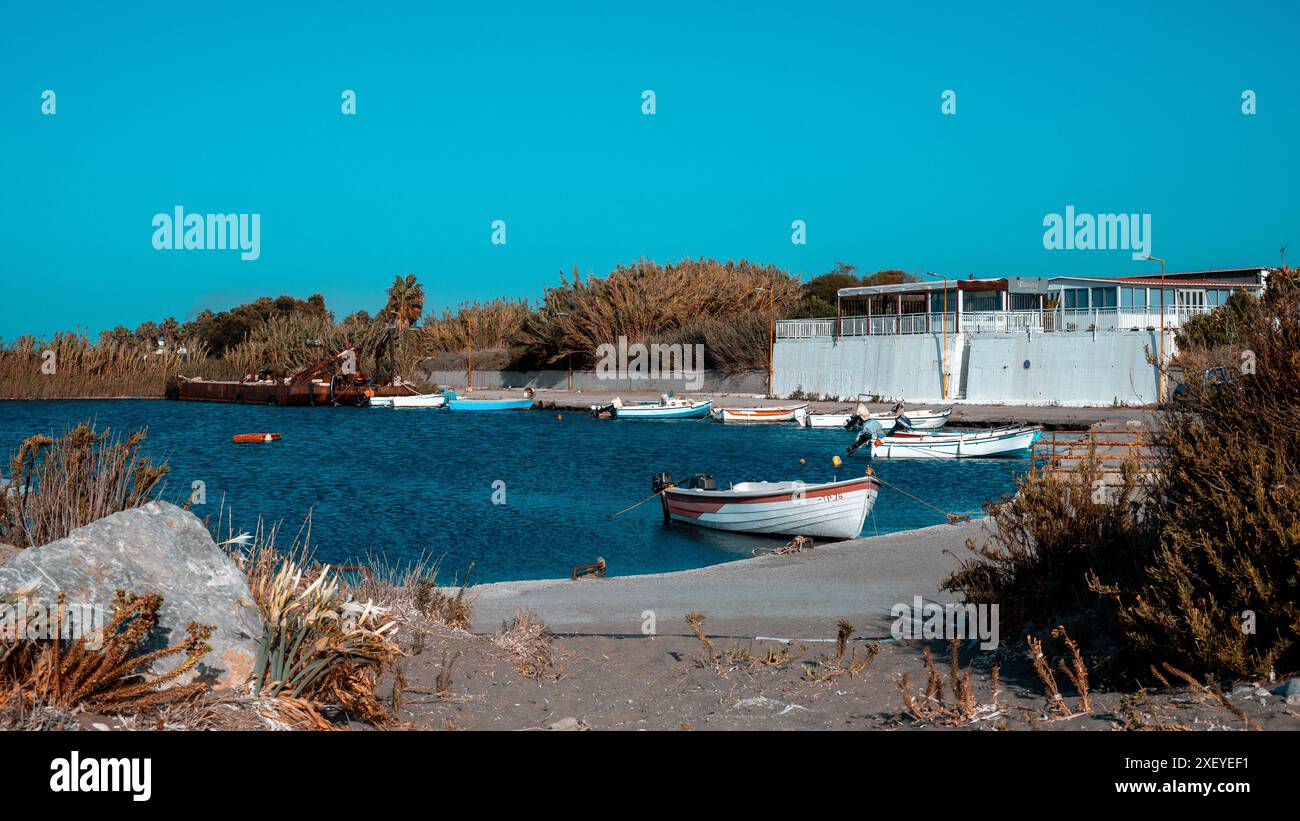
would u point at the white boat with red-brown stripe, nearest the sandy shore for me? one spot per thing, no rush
(829, 511)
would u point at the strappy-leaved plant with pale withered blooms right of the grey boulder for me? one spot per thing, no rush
(319, 644)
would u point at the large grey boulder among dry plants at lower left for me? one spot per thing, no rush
(155, 549)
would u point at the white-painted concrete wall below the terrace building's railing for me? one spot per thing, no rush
(1081, 368)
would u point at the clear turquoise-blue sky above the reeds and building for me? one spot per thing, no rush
(531, 114)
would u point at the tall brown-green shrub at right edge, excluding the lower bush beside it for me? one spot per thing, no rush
(1229, 502)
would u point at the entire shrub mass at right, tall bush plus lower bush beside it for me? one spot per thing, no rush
(1204, 575)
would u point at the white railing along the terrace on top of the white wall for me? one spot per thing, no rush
(991, 323)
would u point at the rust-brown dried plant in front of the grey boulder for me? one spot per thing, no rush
(70, 674)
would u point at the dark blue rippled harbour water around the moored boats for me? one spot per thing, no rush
(402, 484)
